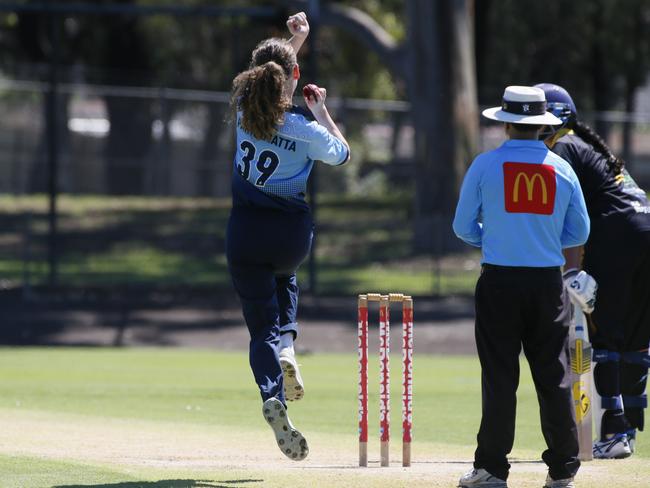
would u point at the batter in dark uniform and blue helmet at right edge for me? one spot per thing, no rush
(620, 320)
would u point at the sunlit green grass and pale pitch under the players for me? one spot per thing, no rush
(174, 418)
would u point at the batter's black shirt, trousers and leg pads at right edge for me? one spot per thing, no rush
(617, 255)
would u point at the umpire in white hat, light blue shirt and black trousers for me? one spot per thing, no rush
(522, 204)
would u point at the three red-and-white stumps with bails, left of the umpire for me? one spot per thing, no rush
(384, 380)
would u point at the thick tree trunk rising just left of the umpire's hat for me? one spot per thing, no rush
(442, 91)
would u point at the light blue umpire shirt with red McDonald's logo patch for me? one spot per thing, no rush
(521, 204)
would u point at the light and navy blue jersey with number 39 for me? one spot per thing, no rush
(273, 173)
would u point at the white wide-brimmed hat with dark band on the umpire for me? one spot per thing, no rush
(522, 105)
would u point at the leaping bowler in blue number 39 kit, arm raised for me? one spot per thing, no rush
(270, 226)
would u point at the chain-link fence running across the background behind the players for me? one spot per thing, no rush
(148, 207)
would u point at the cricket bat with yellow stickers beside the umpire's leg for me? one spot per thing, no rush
(581, 382)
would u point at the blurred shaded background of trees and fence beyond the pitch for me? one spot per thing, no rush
(115, 146)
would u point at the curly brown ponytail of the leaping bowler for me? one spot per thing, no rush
(259, 94)
